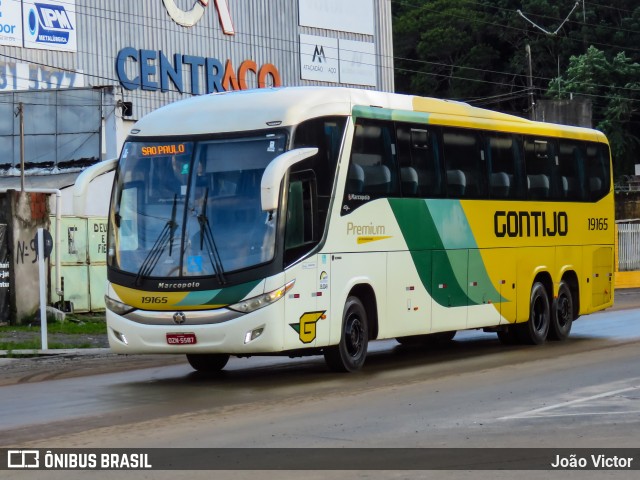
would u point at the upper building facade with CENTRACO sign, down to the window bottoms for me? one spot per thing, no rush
(80, 72)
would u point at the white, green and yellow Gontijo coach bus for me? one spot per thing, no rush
(311, 220)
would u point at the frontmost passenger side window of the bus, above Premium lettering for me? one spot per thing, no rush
(374, 151)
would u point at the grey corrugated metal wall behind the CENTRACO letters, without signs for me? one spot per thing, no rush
(267, 31)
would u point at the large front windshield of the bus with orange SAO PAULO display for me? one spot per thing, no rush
(192, 208)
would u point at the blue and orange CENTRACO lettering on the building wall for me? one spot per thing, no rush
(152, 70)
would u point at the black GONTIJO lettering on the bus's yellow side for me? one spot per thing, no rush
(530, 224)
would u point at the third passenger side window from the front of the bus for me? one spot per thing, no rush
(464, 163)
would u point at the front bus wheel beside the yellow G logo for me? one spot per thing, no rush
(350, 353)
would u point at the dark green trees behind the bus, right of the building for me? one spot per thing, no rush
(474, 50)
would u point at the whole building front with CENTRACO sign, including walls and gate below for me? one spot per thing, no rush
(76, 74)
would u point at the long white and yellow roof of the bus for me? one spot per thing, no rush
(263, 108)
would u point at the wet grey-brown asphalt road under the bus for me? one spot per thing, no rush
(474, 393)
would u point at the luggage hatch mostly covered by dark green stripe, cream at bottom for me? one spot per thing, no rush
(449, 290)
